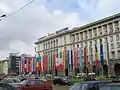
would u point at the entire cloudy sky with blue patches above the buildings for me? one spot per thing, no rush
(19, 31)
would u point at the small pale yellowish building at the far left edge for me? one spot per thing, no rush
(4, 67)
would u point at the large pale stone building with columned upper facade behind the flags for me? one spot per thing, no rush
(105, 30)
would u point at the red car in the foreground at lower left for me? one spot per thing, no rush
(34, 84)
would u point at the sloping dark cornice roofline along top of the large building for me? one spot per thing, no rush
(82, 27)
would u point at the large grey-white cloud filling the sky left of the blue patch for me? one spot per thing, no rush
(21, 30)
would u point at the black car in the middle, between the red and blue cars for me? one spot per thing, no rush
(62, 81)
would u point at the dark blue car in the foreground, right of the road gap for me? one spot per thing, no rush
(88, 85)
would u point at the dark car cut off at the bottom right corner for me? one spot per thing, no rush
(110, 86)
